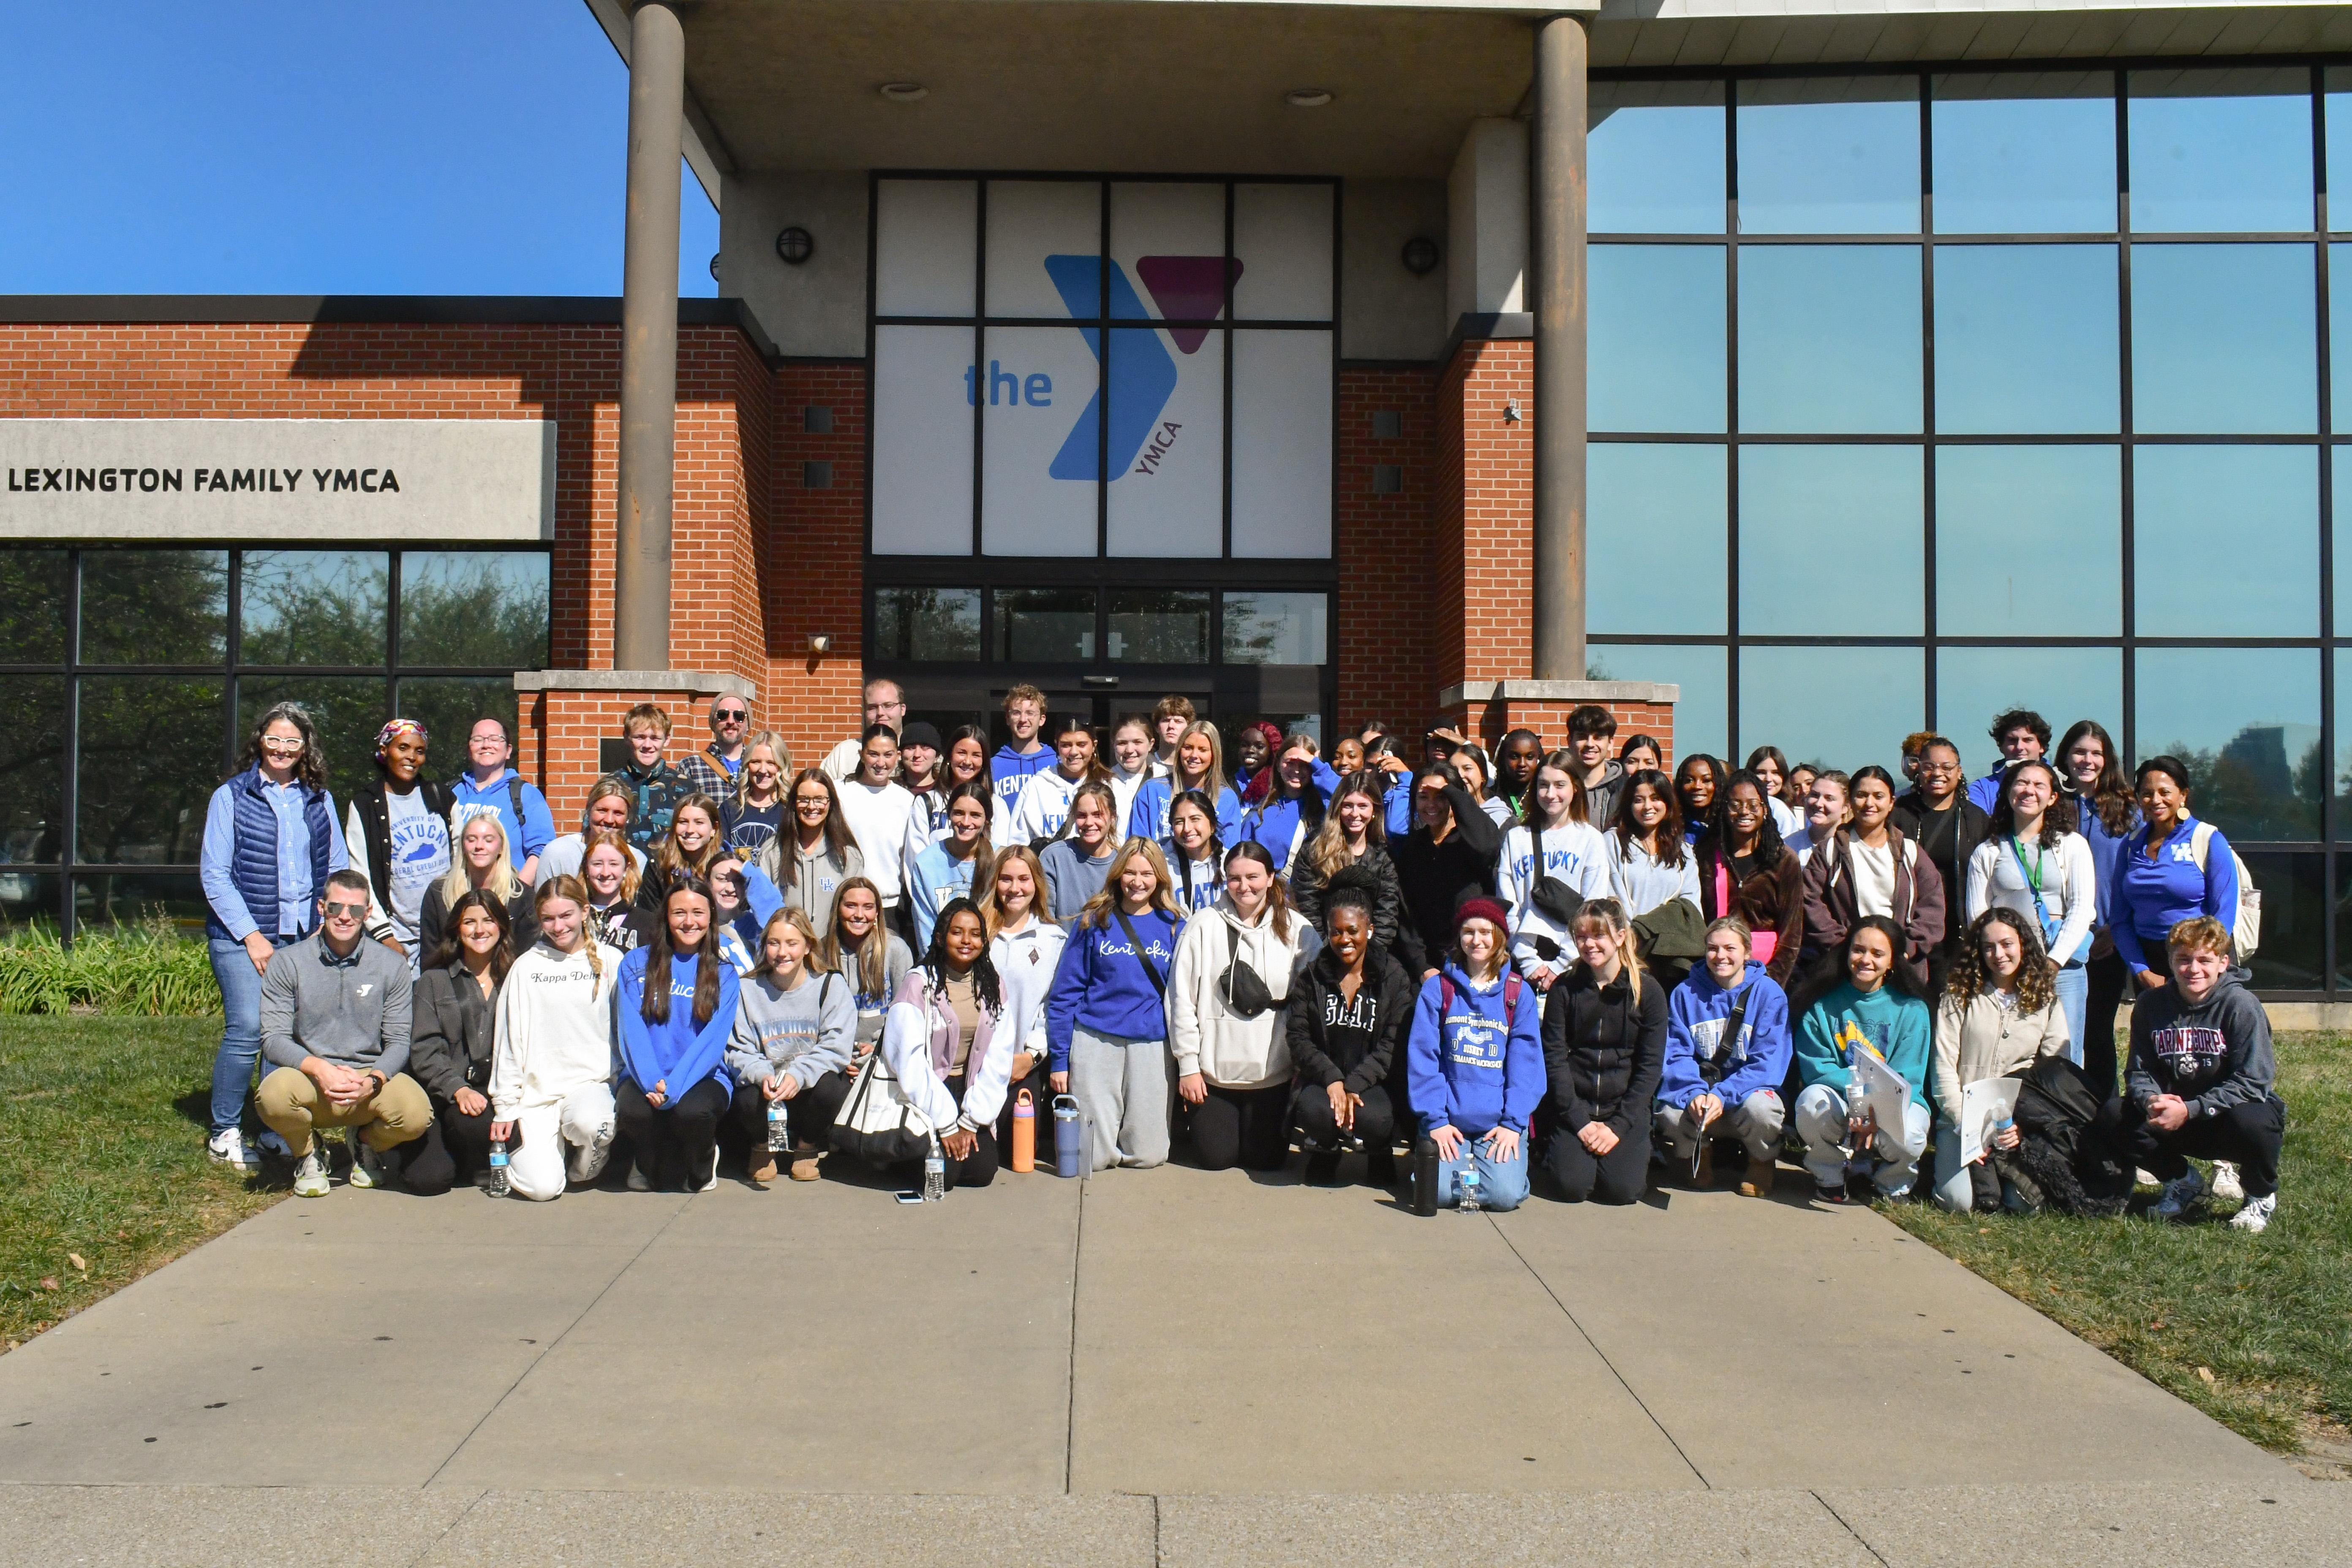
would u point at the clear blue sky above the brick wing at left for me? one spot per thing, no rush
(333, 147)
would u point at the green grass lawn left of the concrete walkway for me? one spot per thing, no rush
(102, 1155)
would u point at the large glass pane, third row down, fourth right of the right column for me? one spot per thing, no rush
(2226, 542)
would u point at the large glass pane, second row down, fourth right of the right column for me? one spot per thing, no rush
(2224, 340)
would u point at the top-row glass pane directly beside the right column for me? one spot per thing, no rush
(1657, 159)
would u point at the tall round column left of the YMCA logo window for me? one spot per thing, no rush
(657, 100)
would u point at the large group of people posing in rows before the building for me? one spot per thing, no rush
(1561, 963)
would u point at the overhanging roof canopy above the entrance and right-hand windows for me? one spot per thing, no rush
(1158, 86)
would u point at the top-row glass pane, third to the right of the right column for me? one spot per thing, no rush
(2026, 154)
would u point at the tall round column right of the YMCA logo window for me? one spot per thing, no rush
(1558, 276)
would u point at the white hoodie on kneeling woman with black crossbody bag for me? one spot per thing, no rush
(1210, 1038)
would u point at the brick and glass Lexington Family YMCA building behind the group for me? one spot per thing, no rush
(1765, 370)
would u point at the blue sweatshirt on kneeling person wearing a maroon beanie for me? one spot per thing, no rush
(1476, 1068)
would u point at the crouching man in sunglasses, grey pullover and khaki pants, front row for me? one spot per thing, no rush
(335, 1028)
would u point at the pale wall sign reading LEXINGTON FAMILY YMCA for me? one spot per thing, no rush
(279, 478)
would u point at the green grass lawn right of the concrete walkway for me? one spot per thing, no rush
(2252, 1329)
